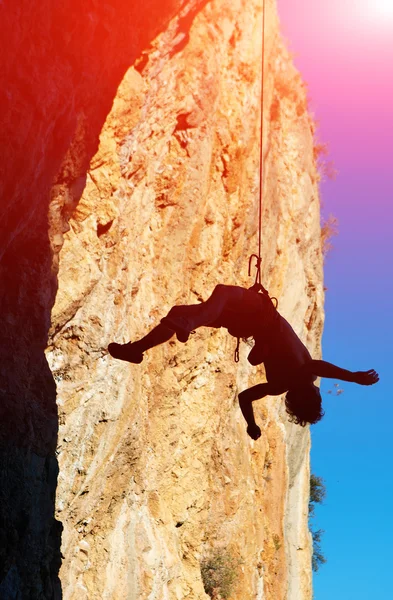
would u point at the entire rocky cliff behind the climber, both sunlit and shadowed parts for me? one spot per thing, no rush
(157, 474)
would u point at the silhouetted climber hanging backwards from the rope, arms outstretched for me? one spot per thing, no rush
(288, 364)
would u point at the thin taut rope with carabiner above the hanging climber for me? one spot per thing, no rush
(258, 281)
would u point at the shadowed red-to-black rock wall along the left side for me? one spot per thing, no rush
(63, 65)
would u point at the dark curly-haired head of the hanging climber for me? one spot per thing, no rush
(304, 404)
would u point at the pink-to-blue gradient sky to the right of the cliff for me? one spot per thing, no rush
(344, 51)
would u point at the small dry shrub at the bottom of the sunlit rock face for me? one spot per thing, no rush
(219, 572)
